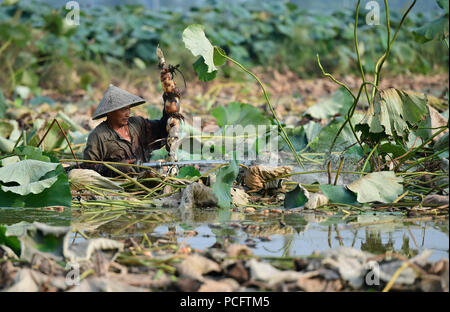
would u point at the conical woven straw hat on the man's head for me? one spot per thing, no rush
(114, 99)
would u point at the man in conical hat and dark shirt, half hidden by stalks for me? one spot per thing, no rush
(121, 138)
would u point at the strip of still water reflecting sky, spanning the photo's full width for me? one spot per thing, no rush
(276, 235)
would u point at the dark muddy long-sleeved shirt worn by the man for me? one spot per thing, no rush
(105, 144)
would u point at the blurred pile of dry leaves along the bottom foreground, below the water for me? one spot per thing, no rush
(160, 266)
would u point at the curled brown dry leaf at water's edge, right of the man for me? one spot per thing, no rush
(264, 177)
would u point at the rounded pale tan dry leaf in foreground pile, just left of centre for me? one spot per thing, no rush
(194, 266)
